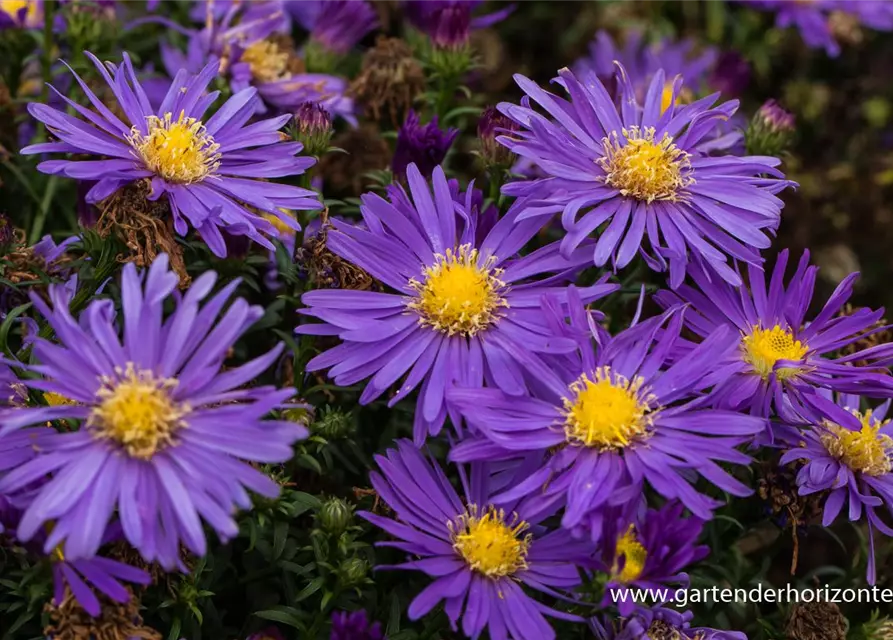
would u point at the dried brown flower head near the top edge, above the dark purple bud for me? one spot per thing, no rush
(389, 81)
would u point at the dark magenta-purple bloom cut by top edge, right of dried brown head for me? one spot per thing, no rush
(449, 22)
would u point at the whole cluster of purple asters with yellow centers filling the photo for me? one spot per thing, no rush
(575, 453)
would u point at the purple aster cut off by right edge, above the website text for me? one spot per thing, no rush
(847, 452)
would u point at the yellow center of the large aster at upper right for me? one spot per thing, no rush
(644, 168)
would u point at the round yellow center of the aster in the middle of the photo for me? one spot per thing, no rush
(458, 294)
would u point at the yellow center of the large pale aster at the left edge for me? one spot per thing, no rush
(137, 412)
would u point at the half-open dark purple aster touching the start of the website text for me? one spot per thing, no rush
(648, 551)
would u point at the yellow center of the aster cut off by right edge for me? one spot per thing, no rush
(866, 450)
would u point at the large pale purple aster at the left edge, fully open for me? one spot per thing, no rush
(166, 436)
